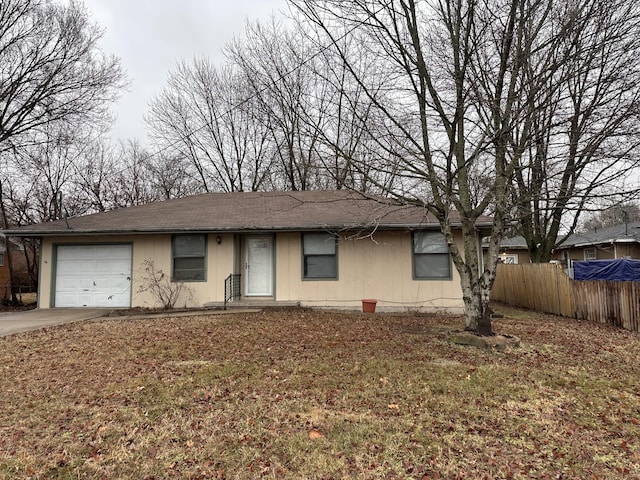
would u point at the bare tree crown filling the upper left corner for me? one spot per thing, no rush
(51, 67)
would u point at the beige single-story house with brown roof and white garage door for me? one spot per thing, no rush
(313, 248)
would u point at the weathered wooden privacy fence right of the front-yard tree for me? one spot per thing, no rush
(545, 287)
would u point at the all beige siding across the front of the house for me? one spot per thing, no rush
(378, 268)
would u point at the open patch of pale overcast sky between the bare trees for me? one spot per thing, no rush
(151, 36)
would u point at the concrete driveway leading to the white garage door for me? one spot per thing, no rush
(15, 322)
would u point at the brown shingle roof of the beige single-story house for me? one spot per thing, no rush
(248, 211)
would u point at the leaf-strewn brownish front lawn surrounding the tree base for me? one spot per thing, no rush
(318, 395)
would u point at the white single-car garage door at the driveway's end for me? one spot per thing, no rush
(93, 276)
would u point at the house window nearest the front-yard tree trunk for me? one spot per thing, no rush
(431, 259)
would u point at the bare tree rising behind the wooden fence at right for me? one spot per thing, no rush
(584, 128)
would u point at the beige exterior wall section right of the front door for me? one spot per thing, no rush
(380, 269)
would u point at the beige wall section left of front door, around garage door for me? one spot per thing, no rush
(157, 248)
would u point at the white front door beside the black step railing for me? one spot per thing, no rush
(259, 266)
